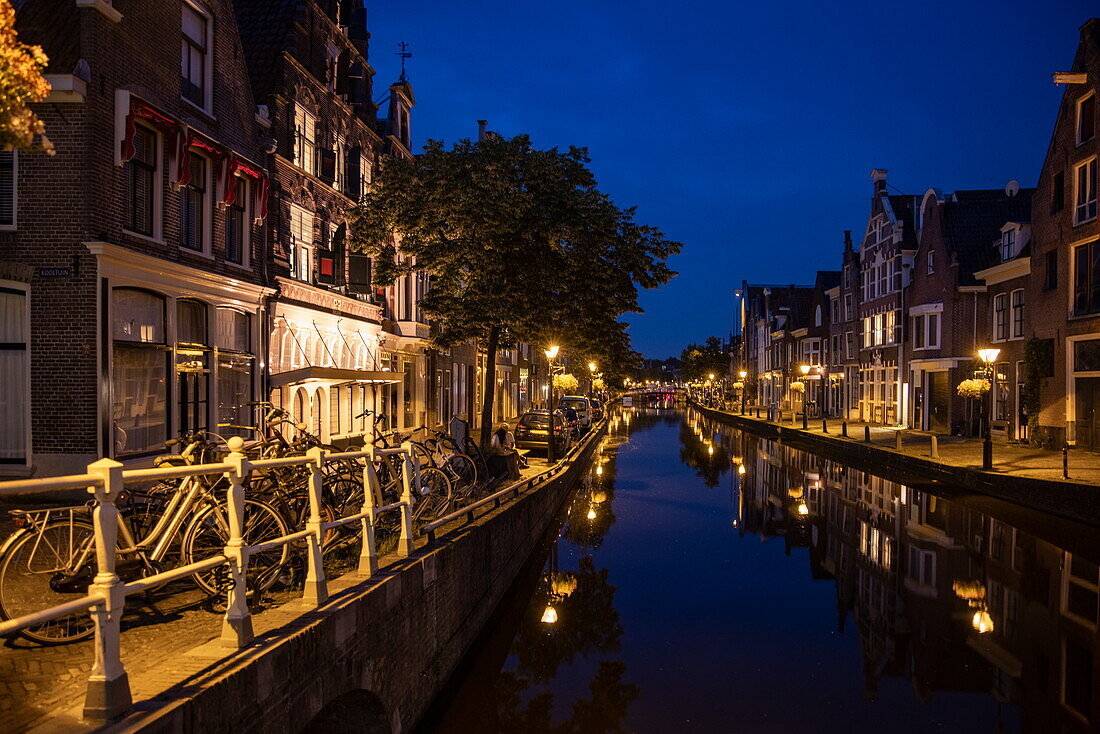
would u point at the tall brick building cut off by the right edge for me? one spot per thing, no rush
(1064, 290)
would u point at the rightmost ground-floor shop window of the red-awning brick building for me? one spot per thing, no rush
(235, 371)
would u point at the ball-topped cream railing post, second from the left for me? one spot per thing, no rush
(237, 626)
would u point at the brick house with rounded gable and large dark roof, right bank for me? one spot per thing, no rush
(948, 308)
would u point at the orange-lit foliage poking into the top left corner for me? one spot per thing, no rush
(21, 83)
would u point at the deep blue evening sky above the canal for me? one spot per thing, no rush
(746, 132)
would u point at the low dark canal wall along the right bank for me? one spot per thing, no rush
(1065, 499)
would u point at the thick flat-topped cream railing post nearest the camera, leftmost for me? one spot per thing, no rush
(108, 686)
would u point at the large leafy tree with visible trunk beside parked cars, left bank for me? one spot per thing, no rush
(521, 245)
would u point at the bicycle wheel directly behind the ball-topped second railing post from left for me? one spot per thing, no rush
(208, 533)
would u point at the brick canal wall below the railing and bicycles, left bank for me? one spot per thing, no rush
(373, 658)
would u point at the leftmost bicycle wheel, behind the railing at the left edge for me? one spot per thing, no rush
(40, 571)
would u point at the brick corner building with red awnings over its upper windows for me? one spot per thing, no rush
(134, 260)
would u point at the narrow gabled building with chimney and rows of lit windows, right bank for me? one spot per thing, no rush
(886, 259)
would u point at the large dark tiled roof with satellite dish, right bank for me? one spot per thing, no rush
(973, 222)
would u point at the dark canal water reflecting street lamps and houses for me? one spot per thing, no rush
(703, 579)
